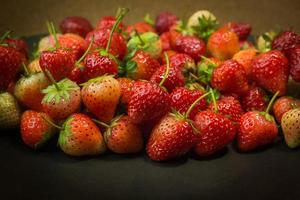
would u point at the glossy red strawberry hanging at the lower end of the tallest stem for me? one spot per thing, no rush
(97, 65)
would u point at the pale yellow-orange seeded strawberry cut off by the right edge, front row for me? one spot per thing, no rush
(291, 127)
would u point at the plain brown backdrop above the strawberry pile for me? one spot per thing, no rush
(28, 17)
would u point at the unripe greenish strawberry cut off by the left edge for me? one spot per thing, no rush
(10, 113)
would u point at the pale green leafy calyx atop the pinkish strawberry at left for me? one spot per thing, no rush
(60, 90)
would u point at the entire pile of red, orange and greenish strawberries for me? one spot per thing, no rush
(168, 86)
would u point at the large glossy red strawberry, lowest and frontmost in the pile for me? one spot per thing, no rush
(170, 138)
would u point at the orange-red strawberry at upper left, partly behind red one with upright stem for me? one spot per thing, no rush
(73, 42)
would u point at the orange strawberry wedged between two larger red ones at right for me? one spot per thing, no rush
(245, 57)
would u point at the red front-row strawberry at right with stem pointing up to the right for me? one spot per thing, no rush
(255, 131)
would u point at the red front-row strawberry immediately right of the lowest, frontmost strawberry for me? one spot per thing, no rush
(215, 130)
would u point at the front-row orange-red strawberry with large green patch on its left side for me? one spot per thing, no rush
(81, 137)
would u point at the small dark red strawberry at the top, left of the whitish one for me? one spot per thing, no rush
(164, 21)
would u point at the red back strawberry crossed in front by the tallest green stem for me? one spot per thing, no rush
(118, 47)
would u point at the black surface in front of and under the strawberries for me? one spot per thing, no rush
(271, 173)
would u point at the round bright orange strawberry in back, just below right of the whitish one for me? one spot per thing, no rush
(223, 44)
